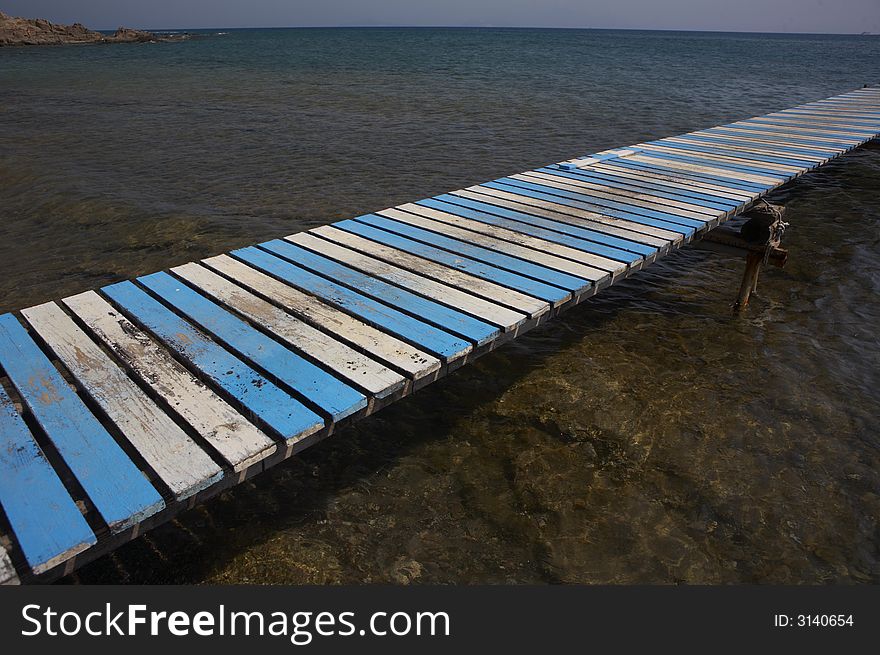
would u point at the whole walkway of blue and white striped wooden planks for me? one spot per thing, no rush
(125, 405)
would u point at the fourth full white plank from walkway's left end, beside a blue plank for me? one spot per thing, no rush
(416, 363)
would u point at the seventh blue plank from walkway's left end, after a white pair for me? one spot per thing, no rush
(476, 268)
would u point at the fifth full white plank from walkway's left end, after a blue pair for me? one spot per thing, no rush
(498, 315)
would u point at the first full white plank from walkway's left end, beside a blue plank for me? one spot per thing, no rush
(178, 461)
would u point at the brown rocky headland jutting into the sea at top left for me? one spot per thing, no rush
(37, 31)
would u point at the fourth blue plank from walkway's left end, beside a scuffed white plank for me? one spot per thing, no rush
(320, 387)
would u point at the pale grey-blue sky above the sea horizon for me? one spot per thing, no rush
(813, 16)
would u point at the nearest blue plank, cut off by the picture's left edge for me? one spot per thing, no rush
(46, 521)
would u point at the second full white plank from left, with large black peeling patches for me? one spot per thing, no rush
(237, 440)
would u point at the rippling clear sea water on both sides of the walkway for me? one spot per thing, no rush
(646, 436)
